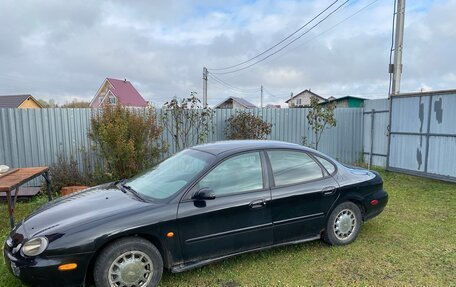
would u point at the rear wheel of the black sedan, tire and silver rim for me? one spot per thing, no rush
(343, 225)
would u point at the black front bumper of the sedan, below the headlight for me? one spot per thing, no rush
(40, 271)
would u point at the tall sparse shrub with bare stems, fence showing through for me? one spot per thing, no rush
(186, 121)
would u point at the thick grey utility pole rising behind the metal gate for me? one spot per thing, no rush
(396, 69)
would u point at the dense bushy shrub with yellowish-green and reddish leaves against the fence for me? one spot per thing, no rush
(127, 140)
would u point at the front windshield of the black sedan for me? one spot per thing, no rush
(170, 176)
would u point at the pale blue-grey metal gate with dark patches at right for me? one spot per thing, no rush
(423, 134)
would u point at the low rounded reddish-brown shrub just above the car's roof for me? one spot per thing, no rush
(244, 125)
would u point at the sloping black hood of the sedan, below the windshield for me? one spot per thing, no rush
(91, 206)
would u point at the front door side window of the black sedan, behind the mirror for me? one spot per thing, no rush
(240, 173)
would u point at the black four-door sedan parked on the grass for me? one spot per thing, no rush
(203, 204)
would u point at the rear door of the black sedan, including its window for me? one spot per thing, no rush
(302, 194)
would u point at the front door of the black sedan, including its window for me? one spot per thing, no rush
(237, 219)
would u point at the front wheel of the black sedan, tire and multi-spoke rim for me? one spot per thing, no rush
(130, 261)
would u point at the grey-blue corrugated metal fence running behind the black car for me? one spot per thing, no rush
(36, 137)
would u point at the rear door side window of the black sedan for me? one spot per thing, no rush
(291, 167)
